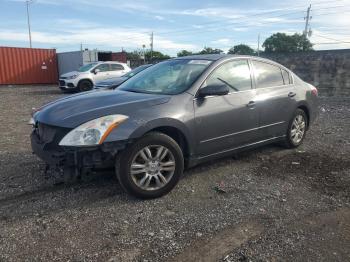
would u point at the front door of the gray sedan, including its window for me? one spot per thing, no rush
(229, 121)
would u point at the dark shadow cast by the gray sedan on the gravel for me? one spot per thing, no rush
(103, 186)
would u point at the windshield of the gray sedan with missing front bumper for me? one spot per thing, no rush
(170, 77)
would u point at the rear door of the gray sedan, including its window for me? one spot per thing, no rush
(275, 98)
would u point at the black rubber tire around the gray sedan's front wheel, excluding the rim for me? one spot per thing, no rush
(123, 163)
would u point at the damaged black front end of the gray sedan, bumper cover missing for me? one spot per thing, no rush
(76, 160)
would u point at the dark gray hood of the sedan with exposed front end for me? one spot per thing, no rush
(75, 110)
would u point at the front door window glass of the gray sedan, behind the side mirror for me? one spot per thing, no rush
(235, 74)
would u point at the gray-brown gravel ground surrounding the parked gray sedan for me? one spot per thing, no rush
(270, 204)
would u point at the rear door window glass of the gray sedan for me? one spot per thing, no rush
(267, 75)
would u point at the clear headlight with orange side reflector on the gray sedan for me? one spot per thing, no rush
(93, 132)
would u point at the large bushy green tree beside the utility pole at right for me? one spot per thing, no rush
(283, 43)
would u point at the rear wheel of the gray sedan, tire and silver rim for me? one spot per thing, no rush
(296, 130)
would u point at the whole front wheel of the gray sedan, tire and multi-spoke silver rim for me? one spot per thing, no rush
(153, 176)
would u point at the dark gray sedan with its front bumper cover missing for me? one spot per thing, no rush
(174, 115)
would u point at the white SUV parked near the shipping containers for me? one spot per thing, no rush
(87, 75)
